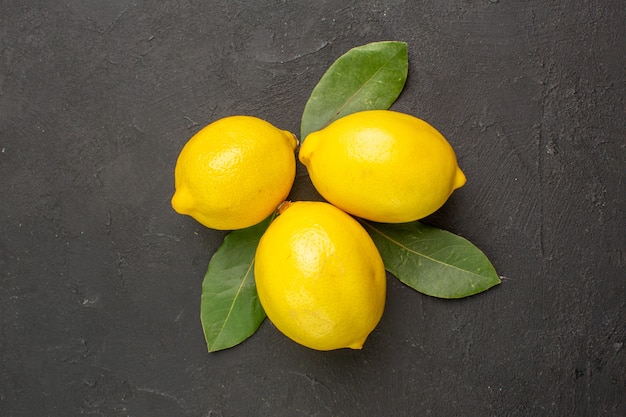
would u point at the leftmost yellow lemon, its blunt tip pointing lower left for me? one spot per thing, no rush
(234, 172)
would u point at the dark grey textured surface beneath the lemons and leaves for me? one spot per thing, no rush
(100, 279)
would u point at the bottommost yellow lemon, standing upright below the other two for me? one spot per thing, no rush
(319, 277)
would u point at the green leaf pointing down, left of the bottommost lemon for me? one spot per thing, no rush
(230, 310)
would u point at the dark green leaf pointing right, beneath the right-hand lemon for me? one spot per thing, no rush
(433, 261)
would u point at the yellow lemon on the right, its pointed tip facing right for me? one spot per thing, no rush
(382, 165)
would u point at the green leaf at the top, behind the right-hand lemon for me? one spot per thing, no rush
(369, 77)
